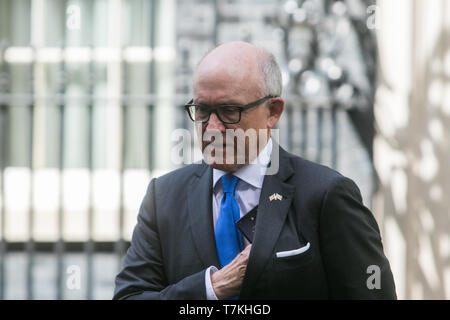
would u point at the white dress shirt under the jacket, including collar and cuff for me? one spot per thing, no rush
(248, 190)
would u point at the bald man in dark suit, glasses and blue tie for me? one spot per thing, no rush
(313, 238)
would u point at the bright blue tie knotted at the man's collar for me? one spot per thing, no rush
(228, 238)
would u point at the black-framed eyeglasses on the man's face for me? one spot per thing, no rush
(228, 114)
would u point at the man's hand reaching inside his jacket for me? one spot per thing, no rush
(227, 281)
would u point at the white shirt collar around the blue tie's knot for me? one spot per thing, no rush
(252, 173)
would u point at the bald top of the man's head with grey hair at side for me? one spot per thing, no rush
(250, 67)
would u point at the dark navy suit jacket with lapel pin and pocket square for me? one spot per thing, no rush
(173, 242)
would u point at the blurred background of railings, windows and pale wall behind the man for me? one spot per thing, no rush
(91, 92)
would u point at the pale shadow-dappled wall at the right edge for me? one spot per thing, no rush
(412, 146)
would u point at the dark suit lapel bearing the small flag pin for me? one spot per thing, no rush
(271, 217)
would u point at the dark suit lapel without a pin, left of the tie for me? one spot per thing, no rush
(200, 215)
